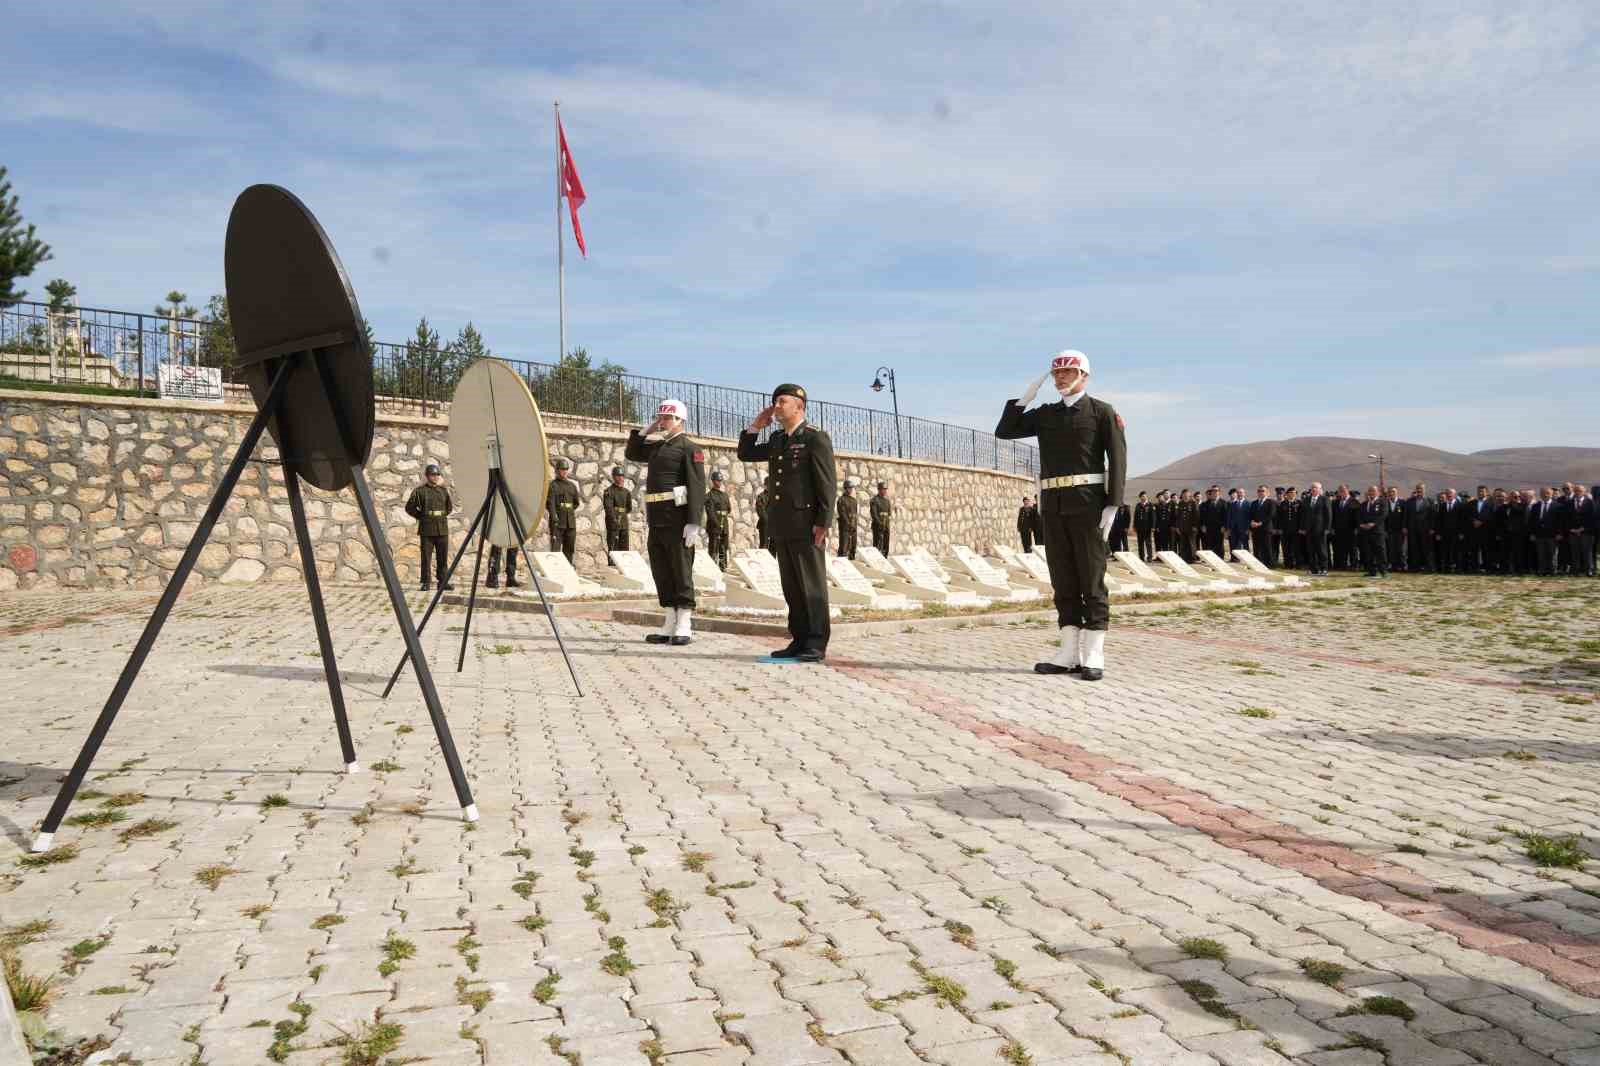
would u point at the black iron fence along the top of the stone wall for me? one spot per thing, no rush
(122, 351)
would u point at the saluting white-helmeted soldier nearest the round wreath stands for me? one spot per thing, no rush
(674, 497)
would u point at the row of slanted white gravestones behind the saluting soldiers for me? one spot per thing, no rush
(908, 582)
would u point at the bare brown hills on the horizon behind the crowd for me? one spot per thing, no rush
(1332, 460)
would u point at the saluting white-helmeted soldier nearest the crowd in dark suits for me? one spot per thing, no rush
(1084, 467)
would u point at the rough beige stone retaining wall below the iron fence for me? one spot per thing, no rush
(106, 494)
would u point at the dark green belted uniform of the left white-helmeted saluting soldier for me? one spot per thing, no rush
(674, 463)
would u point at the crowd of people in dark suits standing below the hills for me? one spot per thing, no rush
(1546, 532)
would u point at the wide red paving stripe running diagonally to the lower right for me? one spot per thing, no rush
(1566, 958)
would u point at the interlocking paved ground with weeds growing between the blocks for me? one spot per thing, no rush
(916, 854)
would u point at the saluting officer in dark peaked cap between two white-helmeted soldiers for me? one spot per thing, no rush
(799, 515)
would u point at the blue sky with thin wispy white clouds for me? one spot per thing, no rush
(1260, 222)
